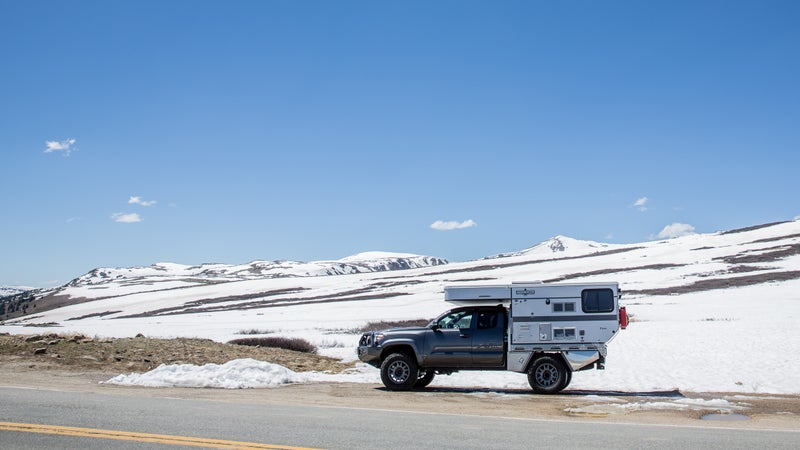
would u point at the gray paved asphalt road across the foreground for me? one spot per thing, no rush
(274, 426)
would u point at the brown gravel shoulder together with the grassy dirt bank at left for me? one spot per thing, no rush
(78, 363)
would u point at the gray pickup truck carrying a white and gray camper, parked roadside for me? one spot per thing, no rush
(546, 331)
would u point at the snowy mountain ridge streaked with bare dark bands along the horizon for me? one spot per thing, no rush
(756, 255)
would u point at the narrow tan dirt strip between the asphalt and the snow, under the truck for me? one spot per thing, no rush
(672, 408)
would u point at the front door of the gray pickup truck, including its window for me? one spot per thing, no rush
(450, 345)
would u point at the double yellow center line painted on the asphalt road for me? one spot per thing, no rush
(140, 437)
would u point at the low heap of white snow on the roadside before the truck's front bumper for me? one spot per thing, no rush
(236, 374)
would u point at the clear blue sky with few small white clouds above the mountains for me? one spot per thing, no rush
(191, 131)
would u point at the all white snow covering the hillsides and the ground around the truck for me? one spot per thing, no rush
(735, 339)
